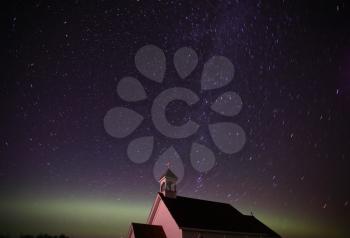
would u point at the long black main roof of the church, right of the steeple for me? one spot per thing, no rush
(199, 214)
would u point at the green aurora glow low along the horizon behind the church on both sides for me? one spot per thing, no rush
(111, 218)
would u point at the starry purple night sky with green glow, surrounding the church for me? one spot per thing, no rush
(62, 172)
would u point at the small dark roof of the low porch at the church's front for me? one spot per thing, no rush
(147, 231)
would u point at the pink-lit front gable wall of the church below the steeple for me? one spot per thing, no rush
(164, 218)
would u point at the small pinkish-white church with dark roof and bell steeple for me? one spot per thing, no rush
(174, 216)
